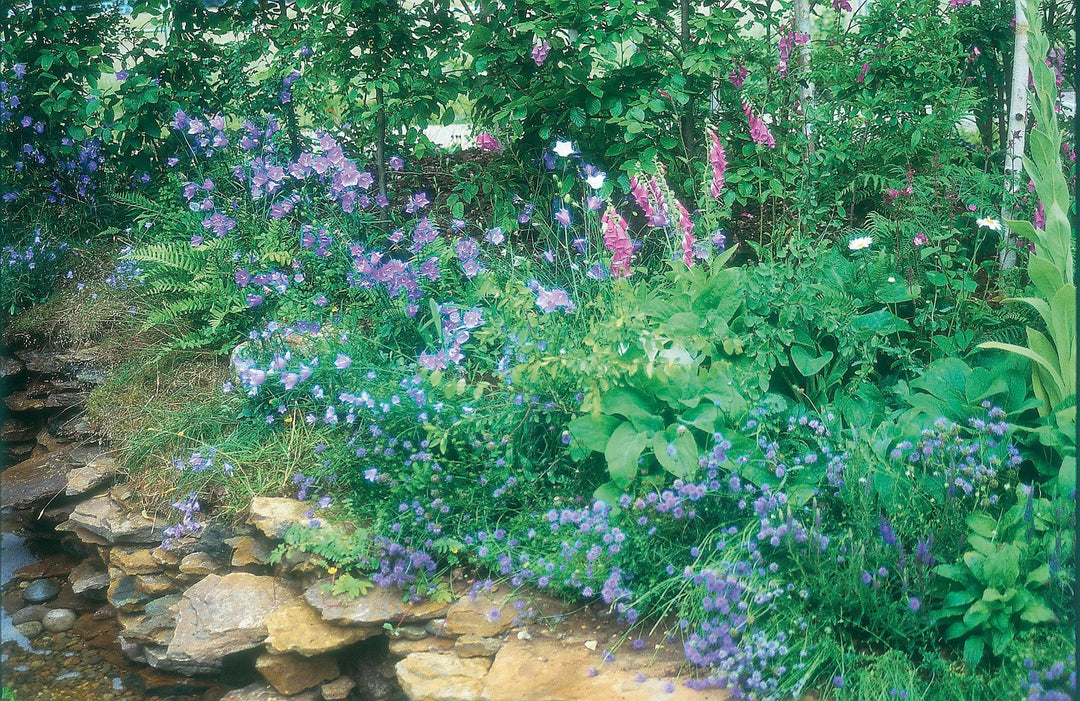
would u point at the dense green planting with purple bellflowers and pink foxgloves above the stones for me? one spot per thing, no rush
(671, 334)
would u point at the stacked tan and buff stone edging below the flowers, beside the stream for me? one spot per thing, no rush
(303, 637)
